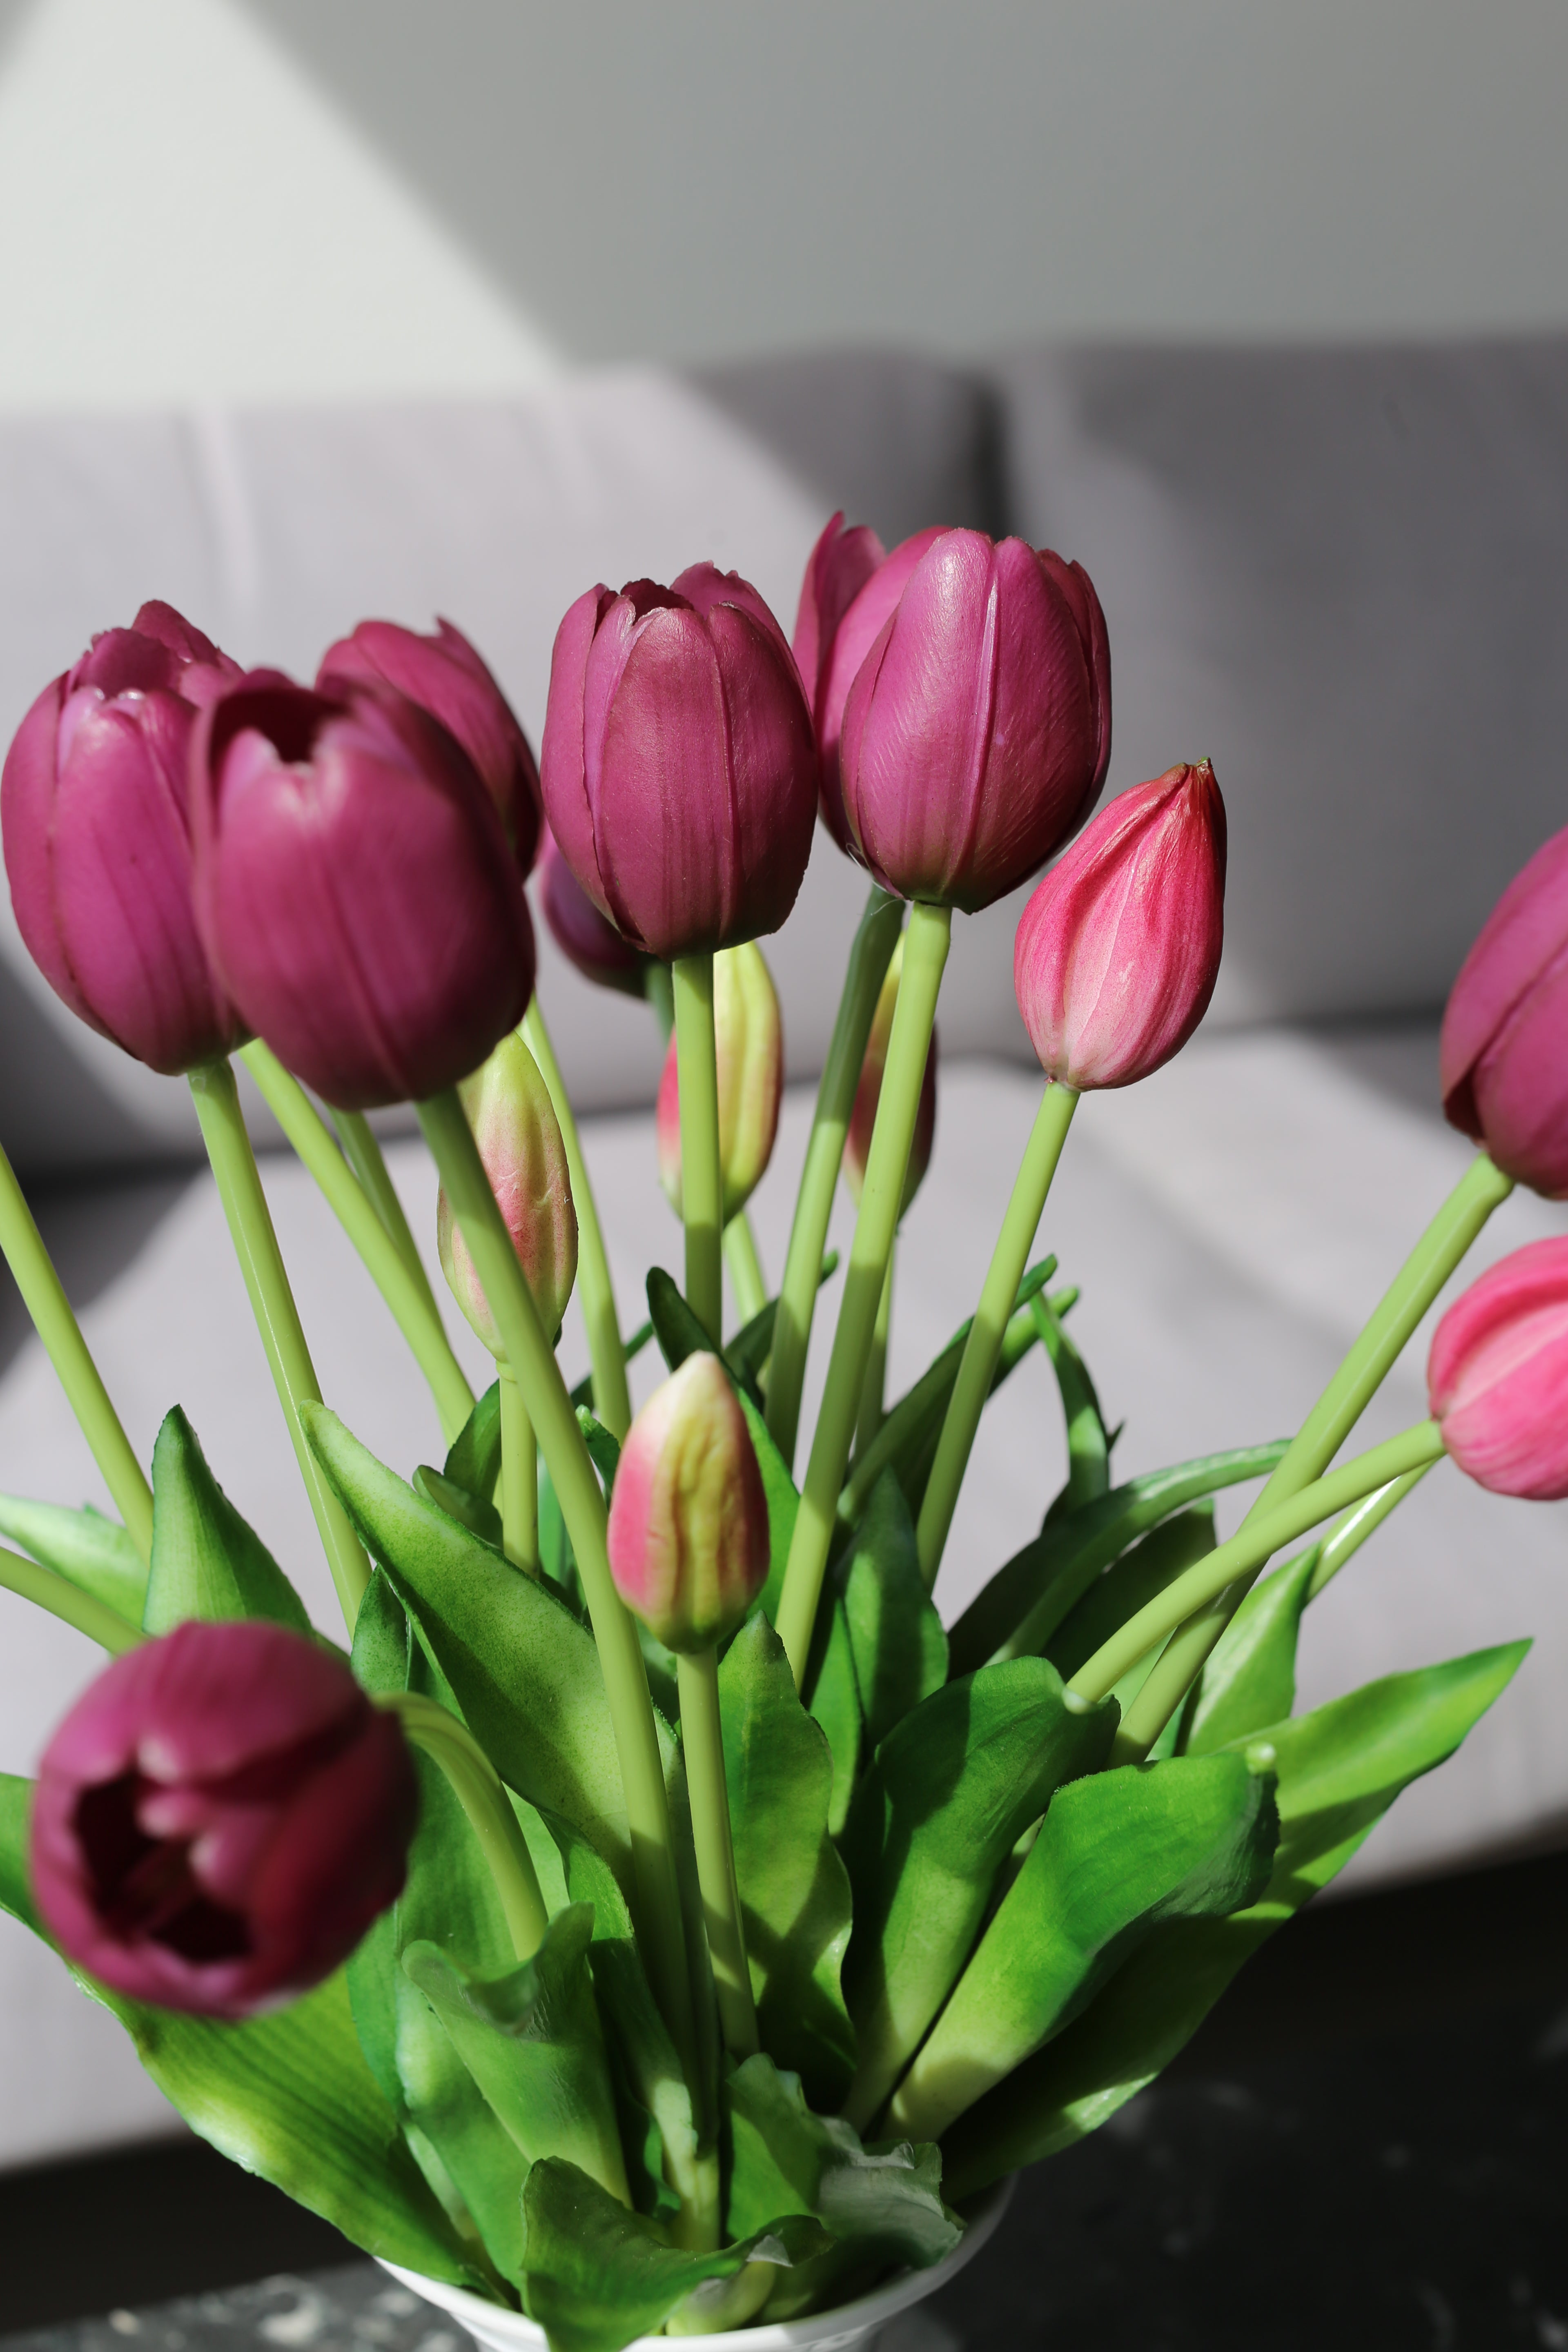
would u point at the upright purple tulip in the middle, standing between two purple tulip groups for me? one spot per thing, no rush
(678, 761)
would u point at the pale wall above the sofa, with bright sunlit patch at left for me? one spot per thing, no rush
(297, 199)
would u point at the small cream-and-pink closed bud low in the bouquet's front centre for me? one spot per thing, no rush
(690, 1521)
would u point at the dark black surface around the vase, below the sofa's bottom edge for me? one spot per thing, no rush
(1367, 2146)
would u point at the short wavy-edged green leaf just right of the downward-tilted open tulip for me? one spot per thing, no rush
(532, 2043)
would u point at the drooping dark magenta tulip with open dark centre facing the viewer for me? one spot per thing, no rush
(220, 1819)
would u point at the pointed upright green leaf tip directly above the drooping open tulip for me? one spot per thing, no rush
(206, 1561)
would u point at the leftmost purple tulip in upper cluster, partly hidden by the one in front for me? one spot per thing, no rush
(98, 841)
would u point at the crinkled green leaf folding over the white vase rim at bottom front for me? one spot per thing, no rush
(603, 2276)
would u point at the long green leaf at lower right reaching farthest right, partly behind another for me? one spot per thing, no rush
(1336, 1772)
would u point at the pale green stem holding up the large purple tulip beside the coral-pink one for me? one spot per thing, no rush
(925, 956)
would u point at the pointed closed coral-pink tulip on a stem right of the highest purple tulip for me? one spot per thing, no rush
(1120, 947)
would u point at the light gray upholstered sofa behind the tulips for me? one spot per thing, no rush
(1341, 575)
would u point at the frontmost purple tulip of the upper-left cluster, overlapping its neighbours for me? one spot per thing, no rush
(356, 888)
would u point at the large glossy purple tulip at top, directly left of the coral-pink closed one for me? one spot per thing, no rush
(974, 735)
